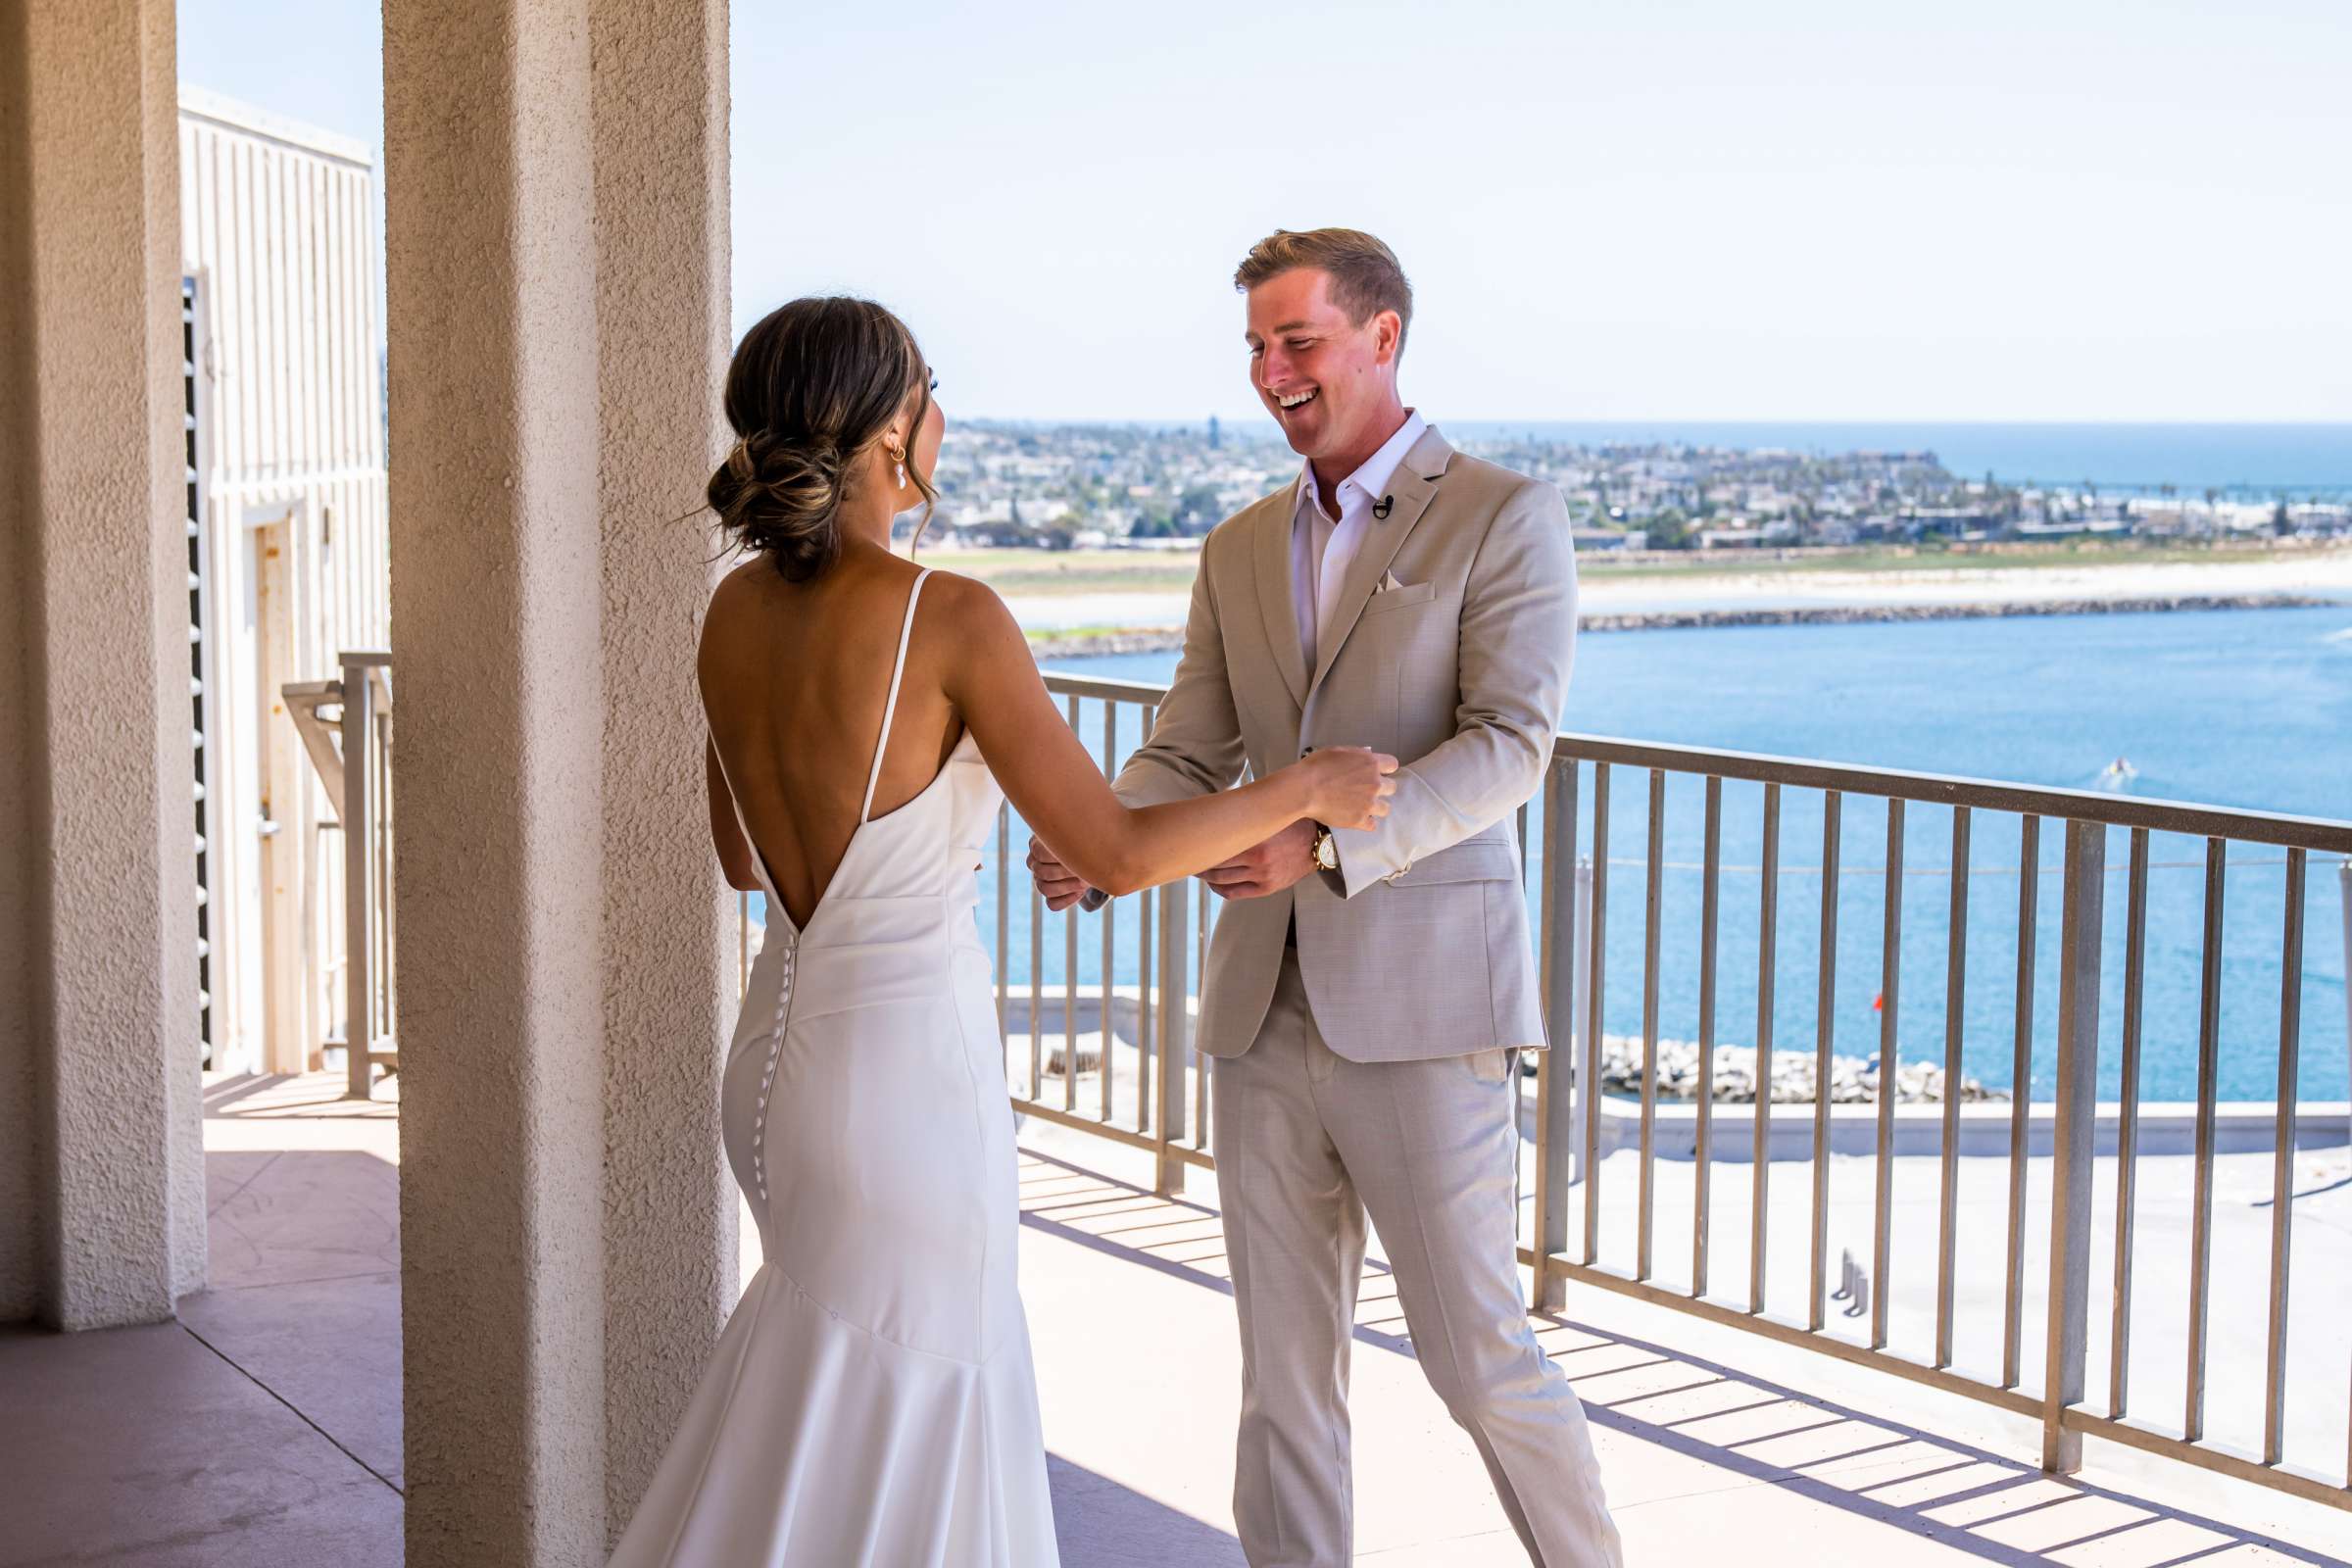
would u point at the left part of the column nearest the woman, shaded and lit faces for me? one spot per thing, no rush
(497, 772)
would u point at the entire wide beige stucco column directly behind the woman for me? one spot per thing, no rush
(556, 182)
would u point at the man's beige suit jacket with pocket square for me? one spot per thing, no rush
(1417, 946)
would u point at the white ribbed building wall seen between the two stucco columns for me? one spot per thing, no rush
(290, 431)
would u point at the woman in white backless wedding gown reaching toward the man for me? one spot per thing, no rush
(871, 1400)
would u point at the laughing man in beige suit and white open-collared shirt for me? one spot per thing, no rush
(1368, 993)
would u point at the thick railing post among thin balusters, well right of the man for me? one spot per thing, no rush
(2073, 1130)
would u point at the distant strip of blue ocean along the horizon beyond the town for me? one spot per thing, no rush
(2313, 460)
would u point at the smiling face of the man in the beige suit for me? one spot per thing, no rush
(1318, 373)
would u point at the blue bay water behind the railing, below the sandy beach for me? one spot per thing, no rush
(2236, 709)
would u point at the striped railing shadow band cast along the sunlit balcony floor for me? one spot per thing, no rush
(1963, 1503)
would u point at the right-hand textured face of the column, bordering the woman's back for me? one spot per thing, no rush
(669, 920)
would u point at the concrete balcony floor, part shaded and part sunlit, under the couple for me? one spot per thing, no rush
(265, 1426)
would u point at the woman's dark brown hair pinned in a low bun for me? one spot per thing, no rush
(810, 391)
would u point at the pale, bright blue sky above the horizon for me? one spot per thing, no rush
(2003, 210)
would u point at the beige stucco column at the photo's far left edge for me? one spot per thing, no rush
(102, 1172)
